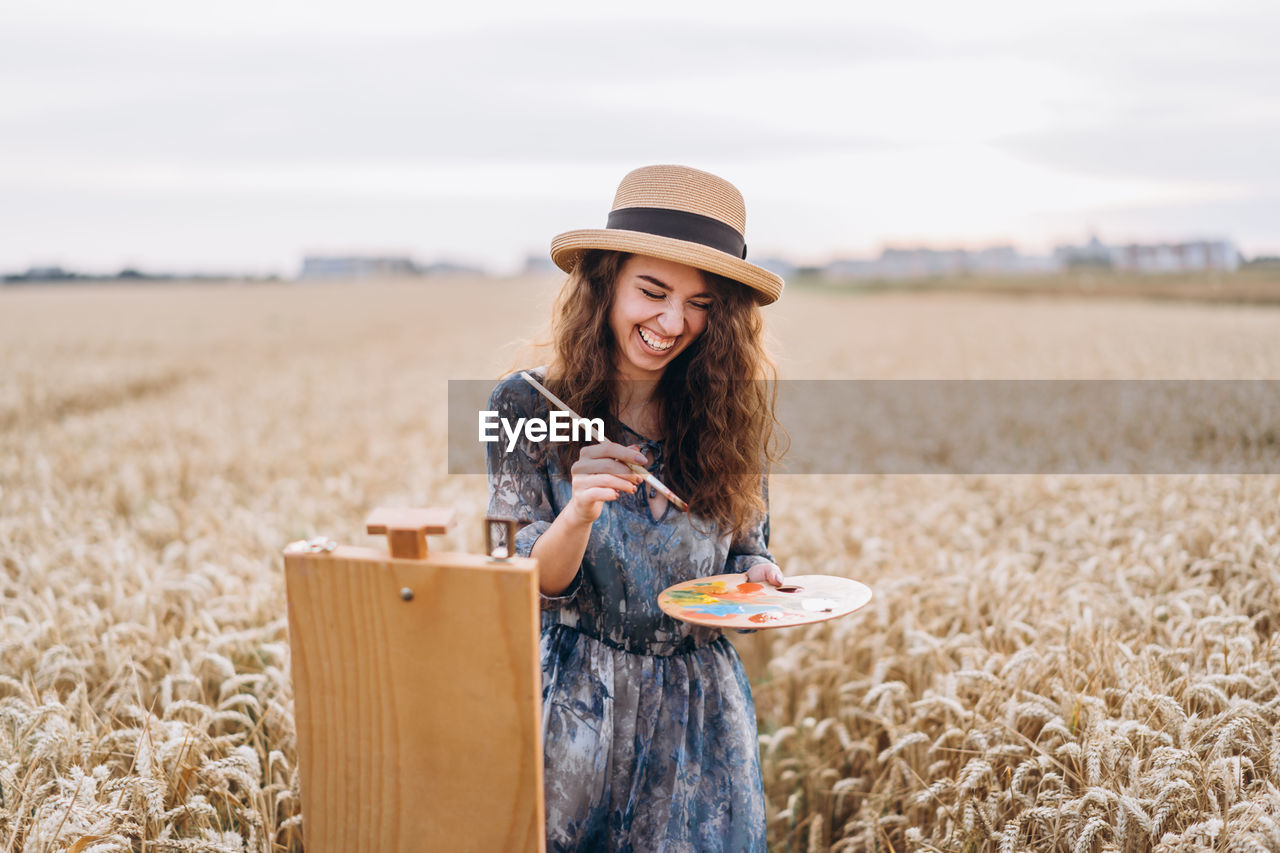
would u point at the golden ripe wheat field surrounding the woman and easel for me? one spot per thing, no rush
(1050, 663)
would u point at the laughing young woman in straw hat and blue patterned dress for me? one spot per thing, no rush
(648, 724)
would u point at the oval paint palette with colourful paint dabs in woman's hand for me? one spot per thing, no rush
(730, 601)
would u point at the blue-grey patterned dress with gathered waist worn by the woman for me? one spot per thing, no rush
(648, 724)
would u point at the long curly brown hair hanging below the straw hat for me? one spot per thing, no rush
(716, 400)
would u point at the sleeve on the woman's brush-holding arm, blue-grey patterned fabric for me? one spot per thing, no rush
(520, 483)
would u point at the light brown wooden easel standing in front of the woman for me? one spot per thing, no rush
(418, 692)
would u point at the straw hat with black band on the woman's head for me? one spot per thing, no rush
(679, 215)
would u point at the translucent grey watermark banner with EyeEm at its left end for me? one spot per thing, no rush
(975, 427)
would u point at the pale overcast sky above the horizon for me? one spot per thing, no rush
(245, 134)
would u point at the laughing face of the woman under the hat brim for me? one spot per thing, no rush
(660, 309)
